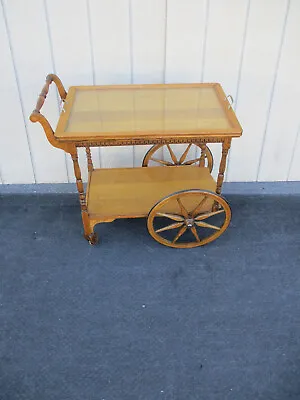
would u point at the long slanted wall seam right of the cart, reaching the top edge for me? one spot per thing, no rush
(282, 39)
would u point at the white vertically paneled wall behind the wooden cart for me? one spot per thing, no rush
(250, 46)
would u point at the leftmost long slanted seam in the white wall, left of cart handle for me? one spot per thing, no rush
(18, 89)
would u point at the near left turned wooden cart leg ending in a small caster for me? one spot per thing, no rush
(88, 230)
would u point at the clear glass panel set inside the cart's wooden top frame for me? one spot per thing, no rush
(140, 109)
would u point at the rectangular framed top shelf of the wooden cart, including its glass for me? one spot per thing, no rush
(147, 111)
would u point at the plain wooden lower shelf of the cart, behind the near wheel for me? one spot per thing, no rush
(132, 192)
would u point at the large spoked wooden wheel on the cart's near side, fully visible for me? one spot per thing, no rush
(189, 218)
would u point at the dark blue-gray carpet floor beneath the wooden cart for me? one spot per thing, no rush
(131, 319)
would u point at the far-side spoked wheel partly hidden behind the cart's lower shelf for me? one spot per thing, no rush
(188, 156)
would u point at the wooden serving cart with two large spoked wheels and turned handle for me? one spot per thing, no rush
(173, 188)
